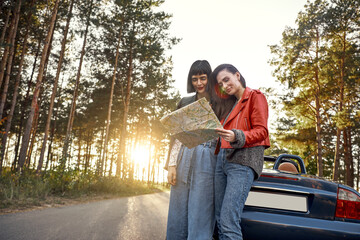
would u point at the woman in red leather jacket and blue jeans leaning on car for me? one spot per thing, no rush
(243, 139)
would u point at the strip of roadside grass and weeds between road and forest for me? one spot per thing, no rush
(29, 190)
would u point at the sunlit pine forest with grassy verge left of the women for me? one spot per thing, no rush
(83, 85)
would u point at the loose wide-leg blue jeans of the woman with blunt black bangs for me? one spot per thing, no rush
(191, 209)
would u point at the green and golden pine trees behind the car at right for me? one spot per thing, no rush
(317, 64)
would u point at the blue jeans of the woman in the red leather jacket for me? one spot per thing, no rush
(232, 185)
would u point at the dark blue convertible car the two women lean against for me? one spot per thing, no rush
(287, 203)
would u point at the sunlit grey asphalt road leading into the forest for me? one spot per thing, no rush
(140, 217)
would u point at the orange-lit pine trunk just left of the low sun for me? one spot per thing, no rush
(121, 159)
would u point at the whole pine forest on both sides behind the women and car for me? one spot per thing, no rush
(83, 85)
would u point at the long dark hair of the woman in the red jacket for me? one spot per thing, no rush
(221, 102)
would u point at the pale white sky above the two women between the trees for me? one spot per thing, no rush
(238, 32)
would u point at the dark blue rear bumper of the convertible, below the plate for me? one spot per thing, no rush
(262, 225)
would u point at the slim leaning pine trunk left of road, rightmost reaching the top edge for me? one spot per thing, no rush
(75, 95)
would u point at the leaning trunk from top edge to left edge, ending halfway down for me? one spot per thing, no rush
(10, 60)
